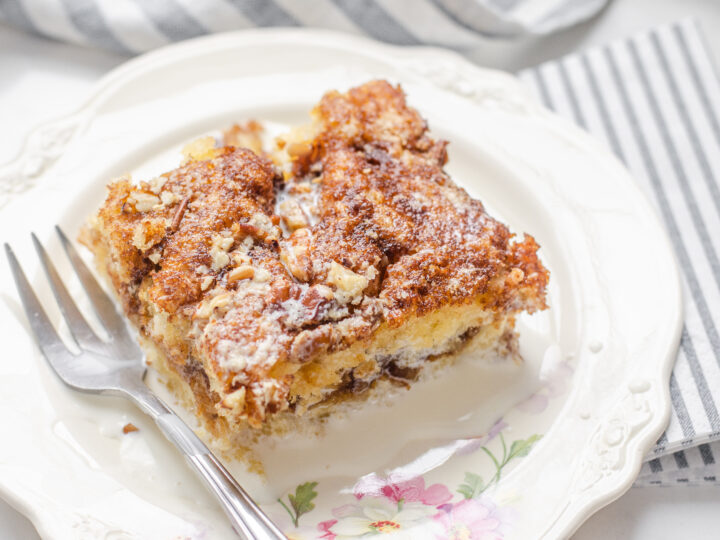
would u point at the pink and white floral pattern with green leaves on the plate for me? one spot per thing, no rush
(413, 509)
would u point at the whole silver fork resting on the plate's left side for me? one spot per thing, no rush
(115, 367)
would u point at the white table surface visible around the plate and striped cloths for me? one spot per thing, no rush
(41, 79)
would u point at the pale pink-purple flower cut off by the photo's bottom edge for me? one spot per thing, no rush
(470, 519)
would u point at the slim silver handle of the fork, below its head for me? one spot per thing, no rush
(247, 519)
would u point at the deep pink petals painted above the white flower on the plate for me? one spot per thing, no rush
(406, 491)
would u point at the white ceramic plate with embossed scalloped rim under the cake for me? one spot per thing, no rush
(495, 451)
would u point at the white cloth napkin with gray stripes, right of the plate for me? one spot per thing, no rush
(654, 100)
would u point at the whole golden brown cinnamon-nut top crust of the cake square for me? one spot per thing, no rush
(264, 273)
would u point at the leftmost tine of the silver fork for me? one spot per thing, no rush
(47, 338)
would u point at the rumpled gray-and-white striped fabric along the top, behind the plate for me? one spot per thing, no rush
(133, 26)
